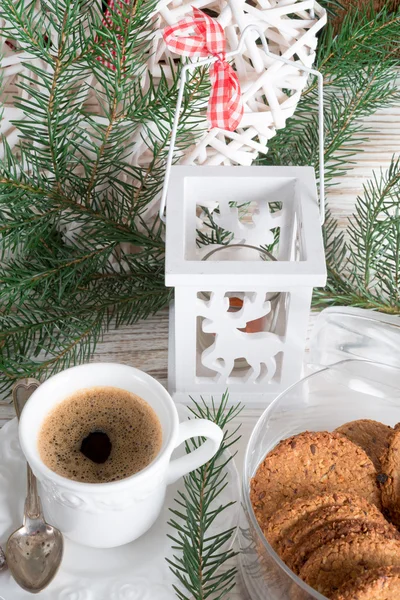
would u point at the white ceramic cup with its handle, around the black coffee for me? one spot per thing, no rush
(104, 515)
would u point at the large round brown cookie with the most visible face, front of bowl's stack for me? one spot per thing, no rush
(311, 463)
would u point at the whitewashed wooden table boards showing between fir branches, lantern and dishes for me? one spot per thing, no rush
(144, 344)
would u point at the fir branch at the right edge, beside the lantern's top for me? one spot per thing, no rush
(364, 266)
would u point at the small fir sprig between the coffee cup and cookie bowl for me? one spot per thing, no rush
(200, 564)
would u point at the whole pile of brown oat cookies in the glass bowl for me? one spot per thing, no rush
(329, 505)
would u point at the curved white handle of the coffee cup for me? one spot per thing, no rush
(195, 428)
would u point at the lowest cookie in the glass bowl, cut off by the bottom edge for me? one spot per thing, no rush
(377, 584)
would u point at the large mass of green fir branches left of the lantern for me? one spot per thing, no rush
(77, 251)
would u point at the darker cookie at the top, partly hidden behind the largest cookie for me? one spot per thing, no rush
(371, 436)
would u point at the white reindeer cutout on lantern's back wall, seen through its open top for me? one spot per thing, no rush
(257, 231)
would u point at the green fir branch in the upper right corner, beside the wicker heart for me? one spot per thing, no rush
(359, 78)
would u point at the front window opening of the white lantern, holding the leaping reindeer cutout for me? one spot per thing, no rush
(245, 321)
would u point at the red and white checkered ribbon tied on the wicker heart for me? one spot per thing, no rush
(225, 107)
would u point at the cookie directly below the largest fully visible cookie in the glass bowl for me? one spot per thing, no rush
(279, 526)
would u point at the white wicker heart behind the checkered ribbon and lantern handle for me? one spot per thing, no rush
(271, 90)
